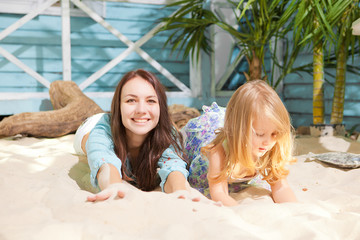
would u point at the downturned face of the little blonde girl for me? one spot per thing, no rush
(264, 136)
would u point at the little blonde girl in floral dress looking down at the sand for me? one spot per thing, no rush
(245, 144)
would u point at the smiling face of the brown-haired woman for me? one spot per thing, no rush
(140, 110)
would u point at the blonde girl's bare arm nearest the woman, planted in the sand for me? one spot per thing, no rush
(218, 191)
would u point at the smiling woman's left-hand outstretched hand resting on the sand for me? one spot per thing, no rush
(115, 190)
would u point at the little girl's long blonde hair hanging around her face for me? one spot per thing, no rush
(254, 98)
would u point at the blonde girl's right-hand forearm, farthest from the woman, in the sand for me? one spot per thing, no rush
(282, 192)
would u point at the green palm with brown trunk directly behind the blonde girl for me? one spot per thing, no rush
(259, 22)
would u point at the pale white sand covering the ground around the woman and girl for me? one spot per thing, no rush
(44, 186)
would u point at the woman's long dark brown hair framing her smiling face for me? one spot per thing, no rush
(144, 166)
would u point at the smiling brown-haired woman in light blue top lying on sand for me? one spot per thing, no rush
(136, 142)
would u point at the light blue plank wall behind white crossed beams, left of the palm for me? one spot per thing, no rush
(38, 44)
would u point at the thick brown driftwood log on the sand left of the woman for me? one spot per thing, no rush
(71, 108)
